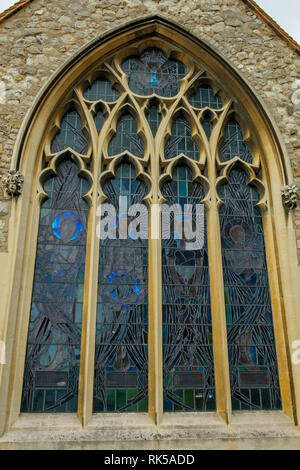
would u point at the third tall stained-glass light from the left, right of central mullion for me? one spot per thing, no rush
(187, 327)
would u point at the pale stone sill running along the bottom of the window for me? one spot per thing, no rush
(135, 431)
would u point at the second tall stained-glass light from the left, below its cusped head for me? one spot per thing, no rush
(121, 368)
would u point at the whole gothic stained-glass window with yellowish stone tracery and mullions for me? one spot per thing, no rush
(143, 325)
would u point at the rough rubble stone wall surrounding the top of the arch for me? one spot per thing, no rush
(39, 38)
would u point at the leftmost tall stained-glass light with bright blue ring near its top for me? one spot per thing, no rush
(53, 348)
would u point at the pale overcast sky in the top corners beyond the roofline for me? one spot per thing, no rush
(285, 12)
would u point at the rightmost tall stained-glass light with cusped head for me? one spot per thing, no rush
(252, 354)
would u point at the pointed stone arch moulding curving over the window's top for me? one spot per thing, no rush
(160, 27)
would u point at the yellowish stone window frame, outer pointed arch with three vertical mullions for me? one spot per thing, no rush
(269, 151)
